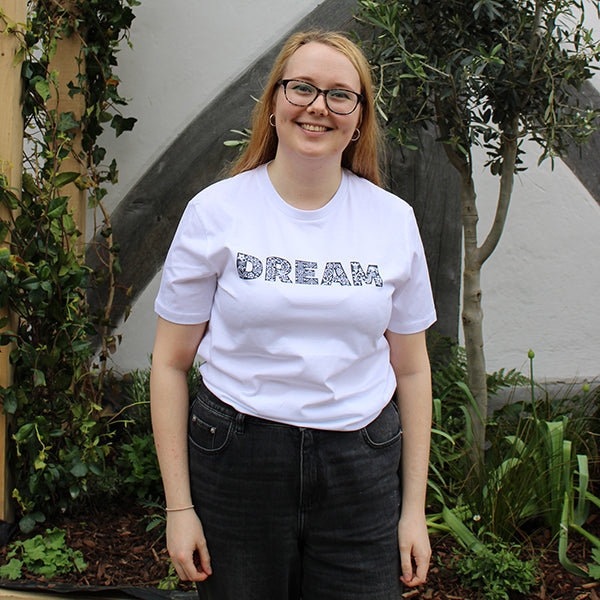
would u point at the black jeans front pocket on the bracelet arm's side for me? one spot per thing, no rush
(209, 430)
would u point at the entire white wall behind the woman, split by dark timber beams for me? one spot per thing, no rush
(541, 286)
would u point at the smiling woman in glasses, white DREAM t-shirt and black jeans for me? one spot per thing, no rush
(303, 287)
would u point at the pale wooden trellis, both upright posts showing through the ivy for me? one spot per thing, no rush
(67, 64)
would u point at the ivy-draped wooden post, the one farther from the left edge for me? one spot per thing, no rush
(68, 62)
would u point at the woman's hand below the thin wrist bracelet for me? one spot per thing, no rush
(185, 538)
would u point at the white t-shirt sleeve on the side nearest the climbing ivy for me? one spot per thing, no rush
(189, 279)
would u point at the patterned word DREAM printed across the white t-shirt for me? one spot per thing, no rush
(276, 268)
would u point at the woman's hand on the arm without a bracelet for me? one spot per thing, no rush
(415, 550)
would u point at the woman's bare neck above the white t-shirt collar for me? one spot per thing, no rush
(307, 185)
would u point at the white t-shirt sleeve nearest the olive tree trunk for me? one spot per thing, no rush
(413, 308)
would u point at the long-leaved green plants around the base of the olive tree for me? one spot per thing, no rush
(534, 466)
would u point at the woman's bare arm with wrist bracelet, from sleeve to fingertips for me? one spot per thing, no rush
(174, 351)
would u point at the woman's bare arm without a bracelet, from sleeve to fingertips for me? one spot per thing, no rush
(408, 355)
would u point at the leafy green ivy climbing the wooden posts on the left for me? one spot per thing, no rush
(59, 445)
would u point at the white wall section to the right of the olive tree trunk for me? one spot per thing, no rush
(541, 285)
